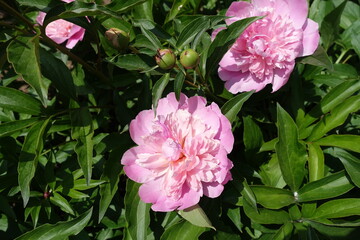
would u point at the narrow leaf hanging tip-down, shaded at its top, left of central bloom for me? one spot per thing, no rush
(82, 131)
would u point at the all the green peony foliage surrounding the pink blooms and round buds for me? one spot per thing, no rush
(64, 126)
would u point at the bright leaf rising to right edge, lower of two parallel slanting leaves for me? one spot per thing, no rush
(336, 117)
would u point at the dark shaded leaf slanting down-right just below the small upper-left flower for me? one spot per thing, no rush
(57, 72)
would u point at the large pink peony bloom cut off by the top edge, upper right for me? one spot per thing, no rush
(266, 51)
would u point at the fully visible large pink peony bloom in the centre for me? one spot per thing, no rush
(181, 152)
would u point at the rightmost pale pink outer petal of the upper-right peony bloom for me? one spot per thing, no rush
(311, 37)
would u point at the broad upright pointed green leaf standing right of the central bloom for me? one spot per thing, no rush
(291, 153)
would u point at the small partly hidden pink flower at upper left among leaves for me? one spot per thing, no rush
(61, 30)
